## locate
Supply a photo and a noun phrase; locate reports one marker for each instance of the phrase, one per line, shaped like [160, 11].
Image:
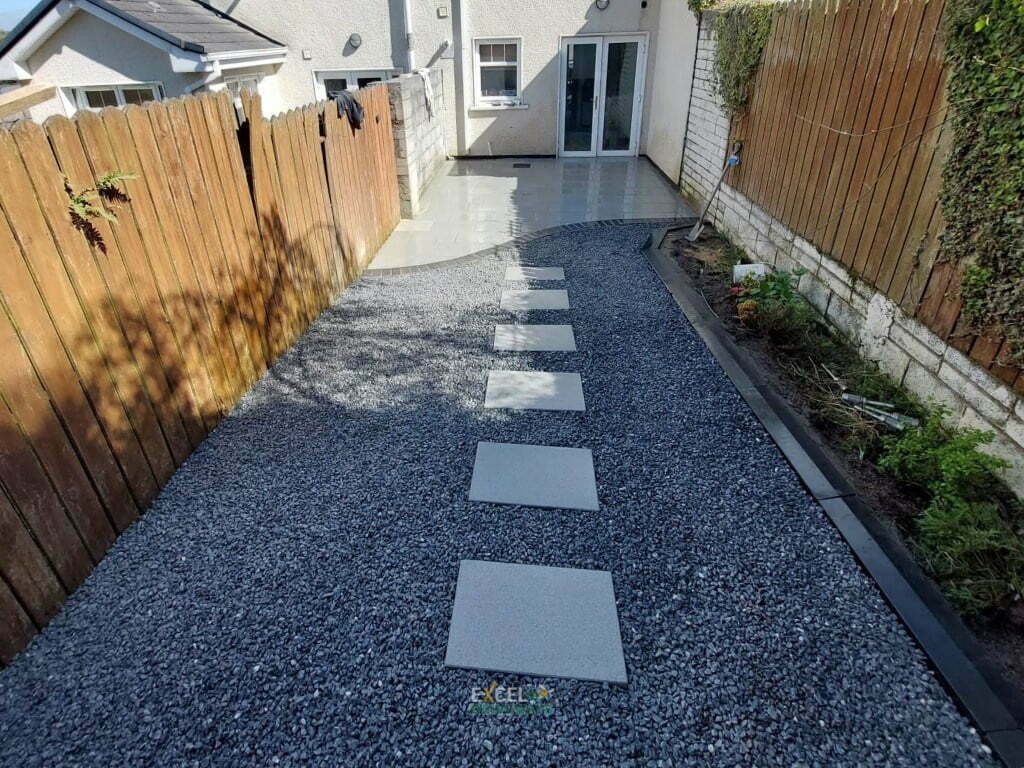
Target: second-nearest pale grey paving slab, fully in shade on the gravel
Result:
[534, 477]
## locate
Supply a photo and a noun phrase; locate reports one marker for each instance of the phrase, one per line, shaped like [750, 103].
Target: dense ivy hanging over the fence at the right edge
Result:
[984, 180]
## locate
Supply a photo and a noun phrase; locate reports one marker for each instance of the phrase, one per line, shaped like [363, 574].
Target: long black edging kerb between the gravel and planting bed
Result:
[941, 633]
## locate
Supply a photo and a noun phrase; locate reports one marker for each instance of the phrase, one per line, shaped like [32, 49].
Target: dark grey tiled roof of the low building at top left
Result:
[189, 25]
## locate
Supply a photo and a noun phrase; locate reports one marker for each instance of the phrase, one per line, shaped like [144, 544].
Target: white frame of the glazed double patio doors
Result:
[598, 139]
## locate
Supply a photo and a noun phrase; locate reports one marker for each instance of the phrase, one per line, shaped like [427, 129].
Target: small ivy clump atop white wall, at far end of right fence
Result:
[743, 33]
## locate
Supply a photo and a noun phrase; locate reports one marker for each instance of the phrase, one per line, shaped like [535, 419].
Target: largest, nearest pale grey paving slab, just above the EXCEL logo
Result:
[536, 620]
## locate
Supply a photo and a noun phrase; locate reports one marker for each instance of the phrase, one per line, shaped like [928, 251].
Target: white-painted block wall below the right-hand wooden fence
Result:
[904, 348]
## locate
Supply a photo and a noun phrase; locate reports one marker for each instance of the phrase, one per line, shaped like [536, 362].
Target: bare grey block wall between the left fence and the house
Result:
[419, 137]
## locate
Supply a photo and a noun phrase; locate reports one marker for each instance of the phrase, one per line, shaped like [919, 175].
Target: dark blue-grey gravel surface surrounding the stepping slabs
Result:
[287, 600]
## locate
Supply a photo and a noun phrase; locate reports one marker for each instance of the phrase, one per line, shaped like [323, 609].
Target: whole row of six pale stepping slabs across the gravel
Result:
[535, 620]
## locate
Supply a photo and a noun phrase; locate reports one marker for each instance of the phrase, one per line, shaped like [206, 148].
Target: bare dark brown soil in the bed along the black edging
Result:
[893, 504]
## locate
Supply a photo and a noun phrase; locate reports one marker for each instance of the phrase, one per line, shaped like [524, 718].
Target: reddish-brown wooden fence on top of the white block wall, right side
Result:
[845, 142]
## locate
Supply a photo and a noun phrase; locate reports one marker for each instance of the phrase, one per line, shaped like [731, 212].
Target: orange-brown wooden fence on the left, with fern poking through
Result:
[123, 344]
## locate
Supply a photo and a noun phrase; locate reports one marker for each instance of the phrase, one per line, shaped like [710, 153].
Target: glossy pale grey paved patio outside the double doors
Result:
[472, 205]
